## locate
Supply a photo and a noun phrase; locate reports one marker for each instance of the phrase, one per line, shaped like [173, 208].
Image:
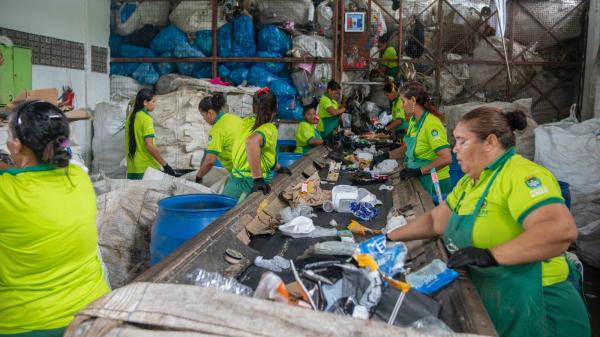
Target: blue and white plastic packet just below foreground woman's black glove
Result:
[432, 277]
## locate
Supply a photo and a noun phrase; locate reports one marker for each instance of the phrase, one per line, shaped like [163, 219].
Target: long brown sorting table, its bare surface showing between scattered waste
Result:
[461, 307]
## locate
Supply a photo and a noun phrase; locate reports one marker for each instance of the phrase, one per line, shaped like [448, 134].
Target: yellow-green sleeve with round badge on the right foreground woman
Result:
[531, 188]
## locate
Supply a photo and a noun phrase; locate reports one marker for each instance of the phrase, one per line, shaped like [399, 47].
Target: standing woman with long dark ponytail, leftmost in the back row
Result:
[140, 150]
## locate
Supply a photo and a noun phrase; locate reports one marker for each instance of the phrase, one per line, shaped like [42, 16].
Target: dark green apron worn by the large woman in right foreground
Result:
[512, 295]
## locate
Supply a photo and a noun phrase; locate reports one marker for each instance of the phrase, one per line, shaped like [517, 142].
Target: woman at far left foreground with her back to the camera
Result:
[50, 266]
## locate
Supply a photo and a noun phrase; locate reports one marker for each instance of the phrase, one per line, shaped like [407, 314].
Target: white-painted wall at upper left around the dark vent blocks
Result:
[85, 21]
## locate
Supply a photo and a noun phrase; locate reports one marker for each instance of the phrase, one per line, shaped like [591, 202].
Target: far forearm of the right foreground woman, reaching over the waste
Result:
[429, 225]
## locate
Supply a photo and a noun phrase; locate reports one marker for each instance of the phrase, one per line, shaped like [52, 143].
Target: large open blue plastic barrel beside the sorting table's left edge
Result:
[181, 217]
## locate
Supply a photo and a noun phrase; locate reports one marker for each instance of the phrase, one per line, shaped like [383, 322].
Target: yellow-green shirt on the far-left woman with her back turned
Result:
[49, 267]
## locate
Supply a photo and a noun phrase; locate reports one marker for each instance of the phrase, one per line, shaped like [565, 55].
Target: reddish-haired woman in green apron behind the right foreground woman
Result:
[426, 142]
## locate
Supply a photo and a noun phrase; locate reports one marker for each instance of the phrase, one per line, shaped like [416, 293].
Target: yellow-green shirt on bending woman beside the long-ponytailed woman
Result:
[226, 129]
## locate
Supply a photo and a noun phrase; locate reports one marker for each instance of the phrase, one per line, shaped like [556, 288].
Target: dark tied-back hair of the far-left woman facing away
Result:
[43, 129]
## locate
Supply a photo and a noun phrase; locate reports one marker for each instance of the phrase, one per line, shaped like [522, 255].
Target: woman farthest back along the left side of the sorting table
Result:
[330, 110]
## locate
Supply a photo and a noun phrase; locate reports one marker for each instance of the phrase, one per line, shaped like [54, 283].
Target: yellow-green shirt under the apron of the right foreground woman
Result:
[520, 188]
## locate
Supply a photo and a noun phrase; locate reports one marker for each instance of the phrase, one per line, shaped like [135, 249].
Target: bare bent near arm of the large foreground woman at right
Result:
[549, 230]
